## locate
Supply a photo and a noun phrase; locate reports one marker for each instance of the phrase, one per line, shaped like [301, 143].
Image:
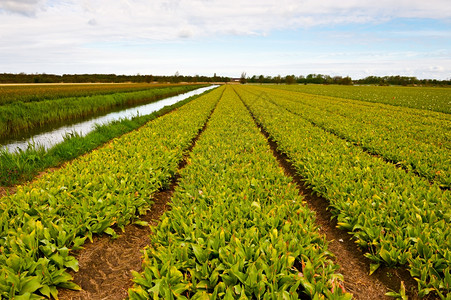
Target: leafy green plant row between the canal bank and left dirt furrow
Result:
[44, 222]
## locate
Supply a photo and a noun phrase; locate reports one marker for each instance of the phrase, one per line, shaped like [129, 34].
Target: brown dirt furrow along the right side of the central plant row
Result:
[353, 265]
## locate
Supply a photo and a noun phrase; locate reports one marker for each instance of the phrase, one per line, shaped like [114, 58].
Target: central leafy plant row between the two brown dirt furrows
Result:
[237, 227]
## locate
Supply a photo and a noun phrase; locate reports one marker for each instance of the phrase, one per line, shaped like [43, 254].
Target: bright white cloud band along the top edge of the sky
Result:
[167, 19]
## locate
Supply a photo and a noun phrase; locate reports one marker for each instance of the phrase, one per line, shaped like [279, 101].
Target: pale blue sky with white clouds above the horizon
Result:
[335, 37]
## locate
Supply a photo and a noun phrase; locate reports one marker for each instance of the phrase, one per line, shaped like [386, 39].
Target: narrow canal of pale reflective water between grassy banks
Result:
[56, 136]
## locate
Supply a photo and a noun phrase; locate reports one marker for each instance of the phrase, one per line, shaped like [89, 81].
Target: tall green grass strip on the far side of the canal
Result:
[18, 117]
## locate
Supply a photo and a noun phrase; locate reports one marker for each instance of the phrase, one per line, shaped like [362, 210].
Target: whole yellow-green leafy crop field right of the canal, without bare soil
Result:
[238, 226]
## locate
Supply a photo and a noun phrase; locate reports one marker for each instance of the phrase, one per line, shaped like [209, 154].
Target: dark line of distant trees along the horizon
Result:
[176, 78]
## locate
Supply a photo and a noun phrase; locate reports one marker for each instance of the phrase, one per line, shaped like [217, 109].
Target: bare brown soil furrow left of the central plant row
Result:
[106, 264]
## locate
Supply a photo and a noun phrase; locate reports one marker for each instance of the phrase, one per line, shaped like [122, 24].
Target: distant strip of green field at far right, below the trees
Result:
[426, 98]
